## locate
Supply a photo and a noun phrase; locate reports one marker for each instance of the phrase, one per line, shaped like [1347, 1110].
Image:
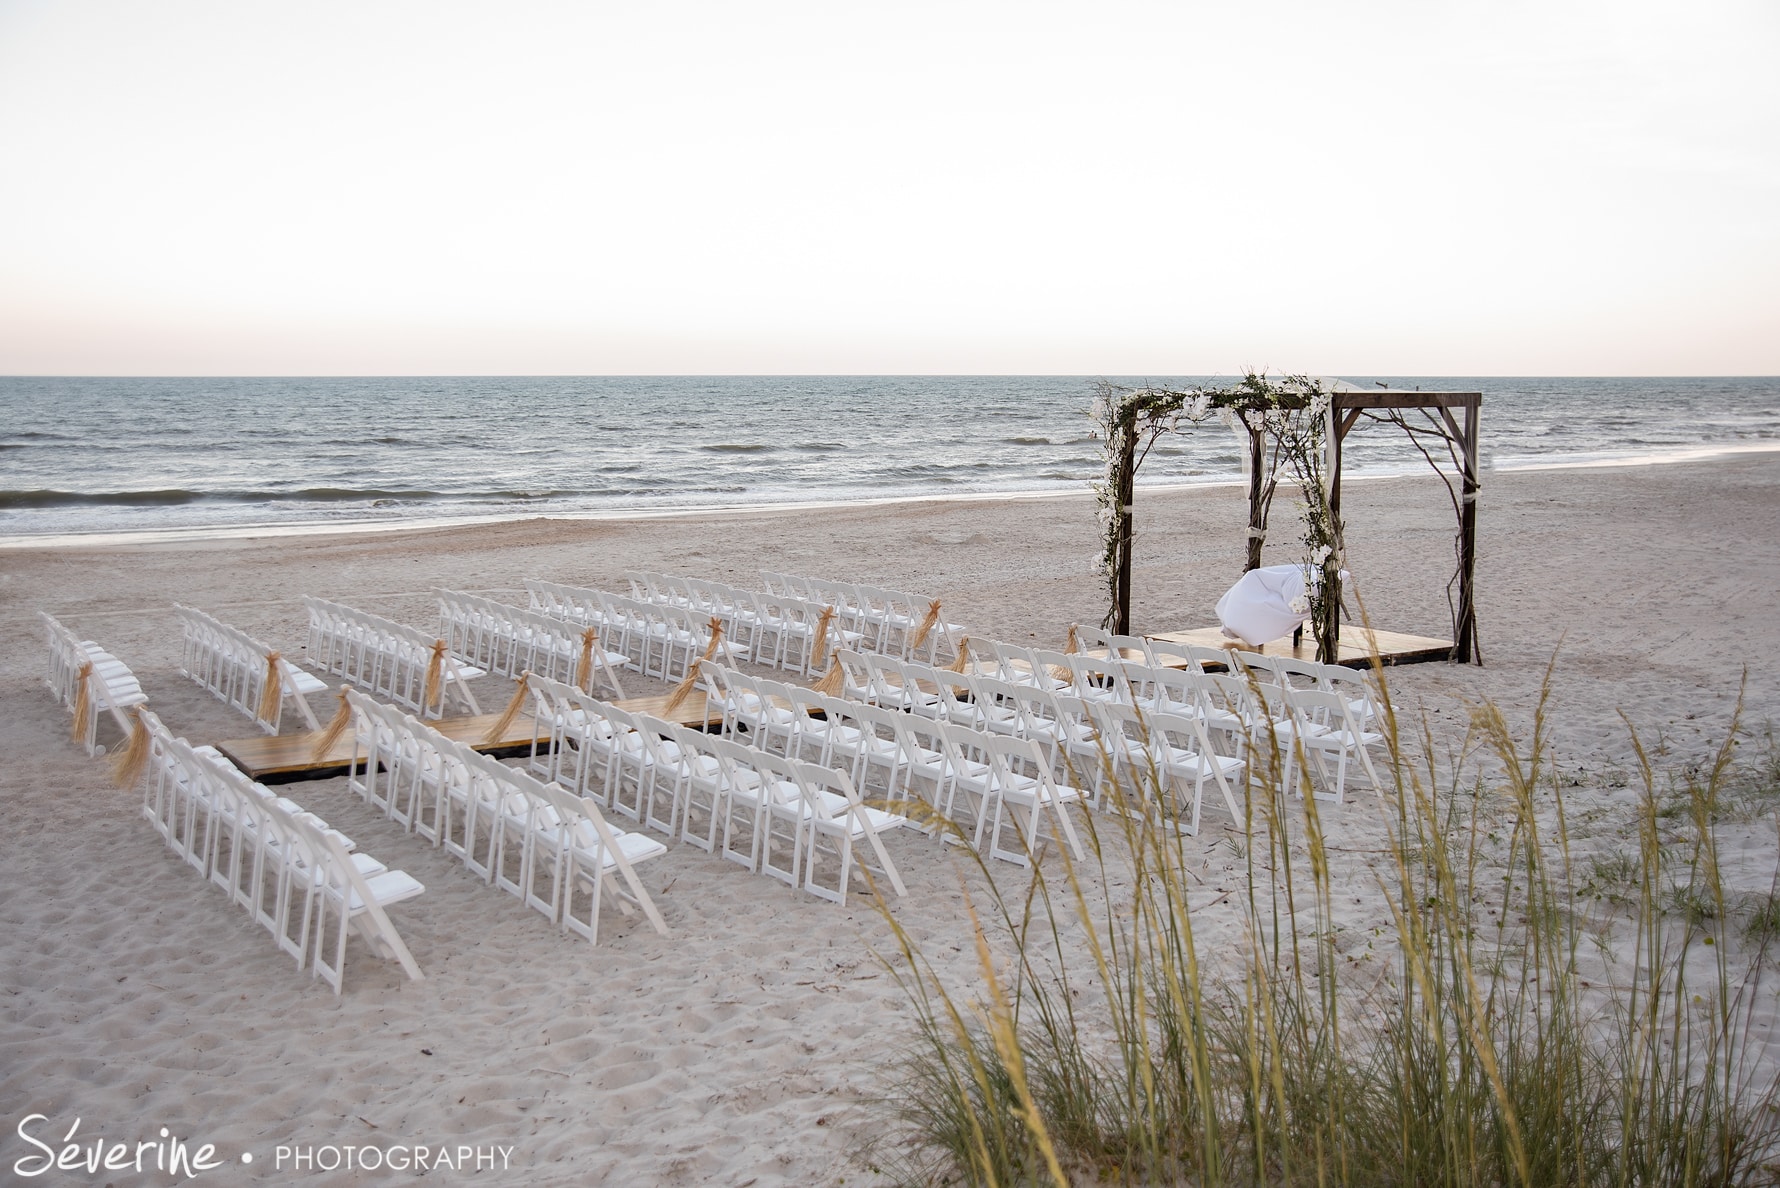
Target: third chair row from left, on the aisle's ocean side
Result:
[387, 658]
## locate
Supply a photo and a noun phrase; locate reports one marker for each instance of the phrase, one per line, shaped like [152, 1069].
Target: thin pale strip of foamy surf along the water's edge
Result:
[198, 535]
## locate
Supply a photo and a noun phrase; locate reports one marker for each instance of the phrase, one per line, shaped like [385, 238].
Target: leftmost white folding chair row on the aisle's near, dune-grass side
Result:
[295, 875]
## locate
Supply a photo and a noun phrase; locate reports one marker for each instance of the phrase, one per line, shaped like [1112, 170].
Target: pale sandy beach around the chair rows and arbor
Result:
[747, 1046]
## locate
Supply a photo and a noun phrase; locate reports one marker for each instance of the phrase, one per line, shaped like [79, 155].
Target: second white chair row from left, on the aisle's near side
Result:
[533, 840]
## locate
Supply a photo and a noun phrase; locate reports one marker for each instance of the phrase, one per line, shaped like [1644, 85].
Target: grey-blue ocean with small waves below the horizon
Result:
[106, 455]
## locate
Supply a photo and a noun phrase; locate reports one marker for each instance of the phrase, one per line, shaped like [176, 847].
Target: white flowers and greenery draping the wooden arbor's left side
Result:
[1286, 425]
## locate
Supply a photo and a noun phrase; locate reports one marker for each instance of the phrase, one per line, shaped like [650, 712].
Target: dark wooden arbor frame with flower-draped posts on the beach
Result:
[1437, 423]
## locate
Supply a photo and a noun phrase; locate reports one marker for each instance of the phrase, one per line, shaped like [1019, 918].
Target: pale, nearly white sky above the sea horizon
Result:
[587, 188]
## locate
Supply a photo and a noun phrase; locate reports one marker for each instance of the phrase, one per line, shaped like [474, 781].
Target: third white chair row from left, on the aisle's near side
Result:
[715, 793]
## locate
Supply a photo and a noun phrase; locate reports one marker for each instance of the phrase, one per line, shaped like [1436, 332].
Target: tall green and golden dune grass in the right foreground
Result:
[1505, 1045]
